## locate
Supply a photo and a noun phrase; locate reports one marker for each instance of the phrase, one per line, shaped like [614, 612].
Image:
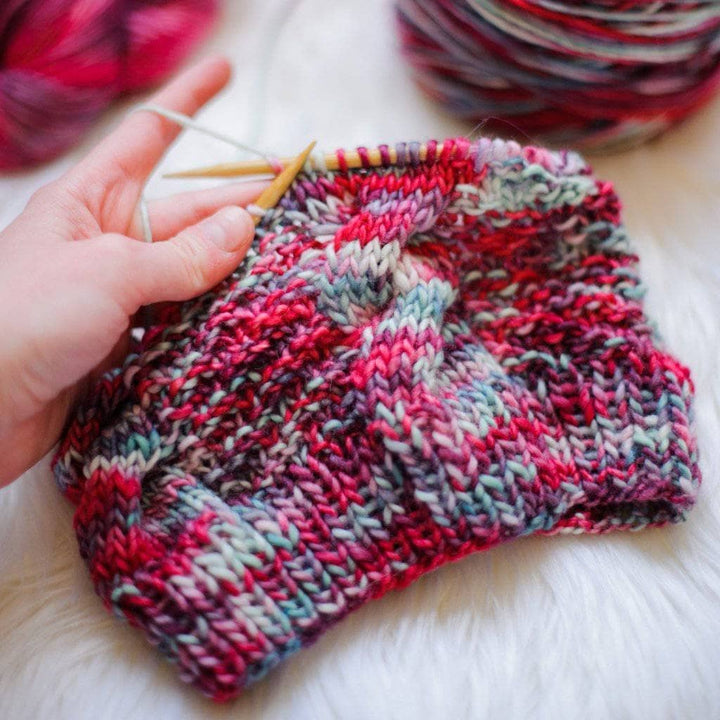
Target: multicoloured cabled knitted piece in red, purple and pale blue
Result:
[414, 362]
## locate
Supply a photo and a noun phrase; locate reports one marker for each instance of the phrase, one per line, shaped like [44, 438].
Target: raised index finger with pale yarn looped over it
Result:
[137, 145]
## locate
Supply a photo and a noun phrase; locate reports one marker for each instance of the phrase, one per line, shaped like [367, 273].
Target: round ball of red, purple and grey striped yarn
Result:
[601, 75]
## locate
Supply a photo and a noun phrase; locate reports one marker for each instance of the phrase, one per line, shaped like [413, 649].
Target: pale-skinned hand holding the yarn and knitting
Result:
[74, 271]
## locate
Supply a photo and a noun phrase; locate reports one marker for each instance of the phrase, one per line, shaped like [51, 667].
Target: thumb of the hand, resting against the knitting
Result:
[194, 260]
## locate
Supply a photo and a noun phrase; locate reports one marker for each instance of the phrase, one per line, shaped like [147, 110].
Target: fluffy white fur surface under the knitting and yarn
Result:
[621, 626]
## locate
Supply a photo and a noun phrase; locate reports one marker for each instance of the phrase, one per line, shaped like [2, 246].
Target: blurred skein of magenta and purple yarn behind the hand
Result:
[62, 62]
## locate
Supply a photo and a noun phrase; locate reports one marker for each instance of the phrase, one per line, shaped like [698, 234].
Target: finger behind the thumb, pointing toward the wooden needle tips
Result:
[171, 215]
